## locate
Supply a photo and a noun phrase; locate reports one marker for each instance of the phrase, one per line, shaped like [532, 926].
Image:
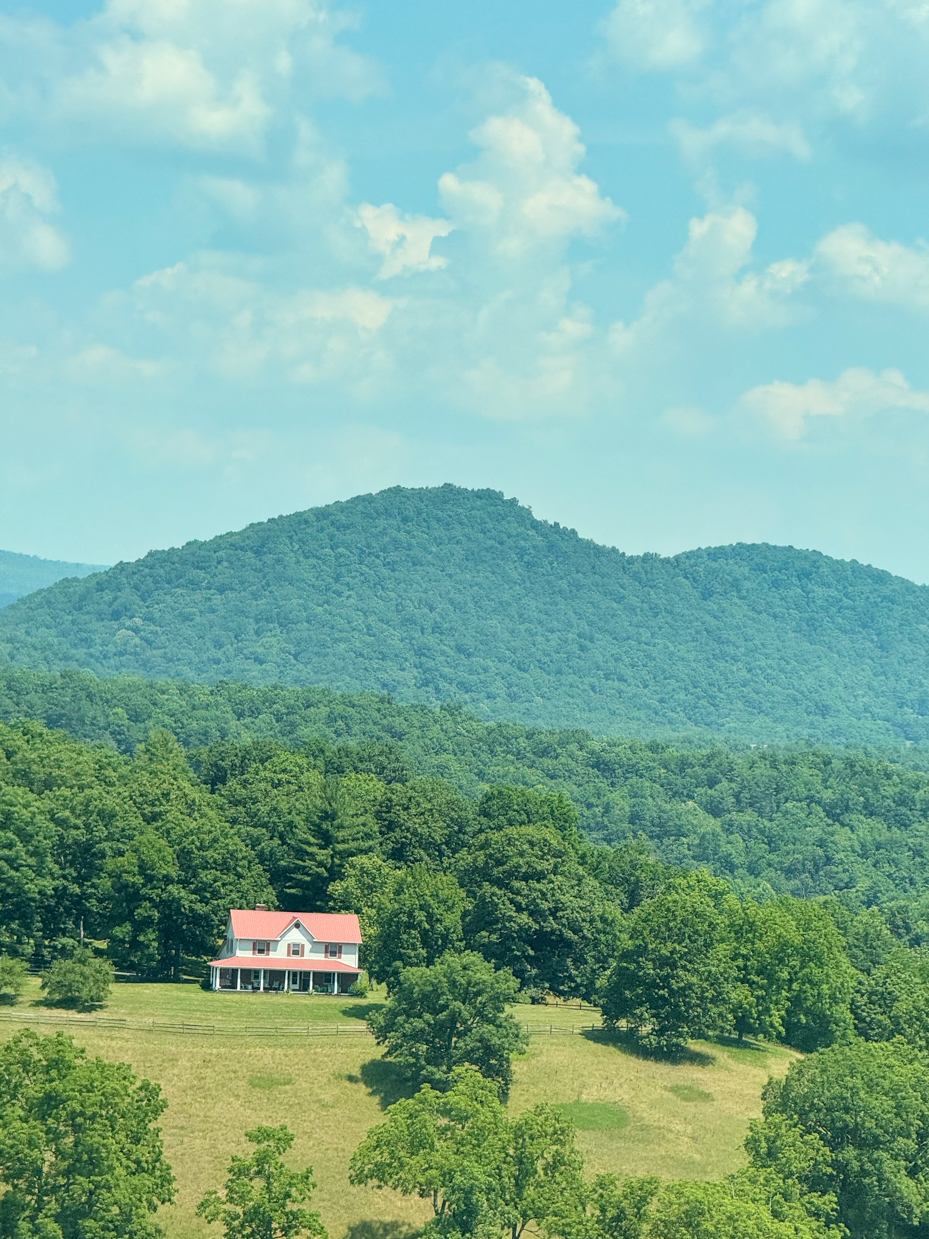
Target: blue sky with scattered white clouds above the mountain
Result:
[657, 268]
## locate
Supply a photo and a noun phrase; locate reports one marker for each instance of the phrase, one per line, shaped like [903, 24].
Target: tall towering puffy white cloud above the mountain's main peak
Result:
[525, 190]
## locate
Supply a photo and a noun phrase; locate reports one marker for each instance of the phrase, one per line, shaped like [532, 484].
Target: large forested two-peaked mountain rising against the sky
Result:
[435, 595]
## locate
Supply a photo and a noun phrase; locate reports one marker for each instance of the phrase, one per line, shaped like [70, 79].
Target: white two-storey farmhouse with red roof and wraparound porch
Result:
[297, 952]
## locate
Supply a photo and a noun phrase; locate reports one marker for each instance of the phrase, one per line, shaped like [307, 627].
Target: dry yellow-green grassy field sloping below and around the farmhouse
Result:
[635, 1116]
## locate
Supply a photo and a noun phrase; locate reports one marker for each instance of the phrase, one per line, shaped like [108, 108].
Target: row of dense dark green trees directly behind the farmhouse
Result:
[147, 856]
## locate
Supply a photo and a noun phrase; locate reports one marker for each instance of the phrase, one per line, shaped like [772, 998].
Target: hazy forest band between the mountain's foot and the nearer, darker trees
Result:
[806, 822]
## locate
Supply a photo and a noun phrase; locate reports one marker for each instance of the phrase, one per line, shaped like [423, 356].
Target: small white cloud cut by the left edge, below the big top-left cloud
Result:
[28, 198]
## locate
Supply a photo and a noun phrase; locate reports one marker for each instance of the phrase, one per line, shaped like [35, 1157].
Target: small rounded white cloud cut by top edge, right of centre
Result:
[657, 34]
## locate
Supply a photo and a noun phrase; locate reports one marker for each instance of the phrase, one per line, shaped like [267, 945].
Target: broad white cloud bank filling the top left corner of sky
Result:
[209, 75]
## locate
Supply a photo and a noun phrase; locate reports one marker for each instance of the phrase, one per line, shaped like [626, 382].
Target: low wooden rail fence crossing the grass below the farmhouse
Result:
[305, 1031]
